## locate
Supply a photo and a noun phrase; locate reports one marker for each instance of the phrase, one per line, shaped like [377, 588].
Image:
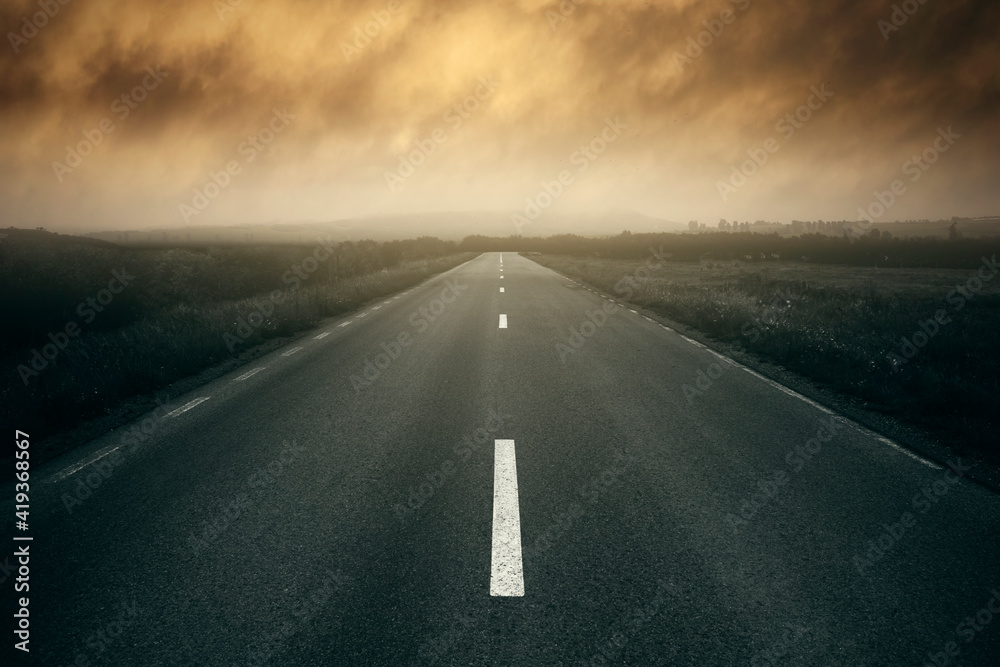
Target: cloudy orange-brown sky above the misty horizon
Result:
[137, 114]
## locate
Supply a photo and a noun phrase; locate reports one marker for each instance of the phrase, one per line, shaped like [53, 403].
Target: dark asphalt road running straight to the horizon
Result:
[659, 505]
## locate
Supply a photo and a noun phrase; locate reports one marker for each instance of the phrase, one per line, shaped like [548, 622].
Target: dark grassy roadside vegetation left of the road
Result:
[89, 324]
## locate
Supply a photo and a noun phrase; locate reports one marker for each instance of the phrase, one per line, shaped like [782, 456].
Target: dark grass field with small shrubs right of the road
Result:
[844, 327]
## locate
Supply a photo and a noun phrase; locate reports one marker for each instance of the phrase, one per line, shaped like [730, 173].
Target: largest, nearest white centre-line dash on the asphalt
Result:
[506, 573]
